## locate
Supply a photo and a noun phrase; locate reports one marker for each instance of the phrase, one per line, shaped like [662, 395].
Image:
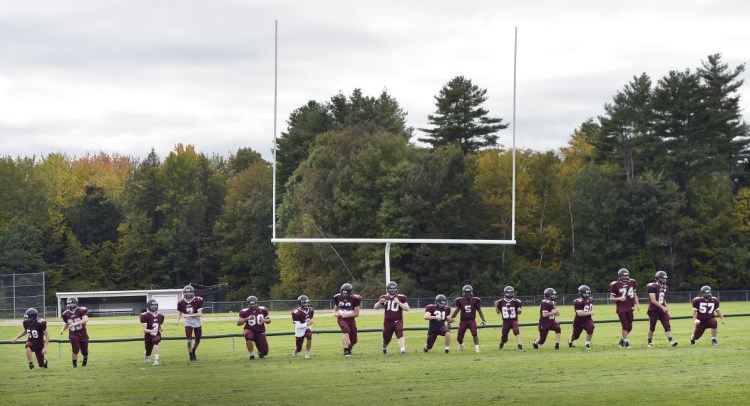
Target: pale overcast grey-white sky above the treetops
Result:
[124, 77]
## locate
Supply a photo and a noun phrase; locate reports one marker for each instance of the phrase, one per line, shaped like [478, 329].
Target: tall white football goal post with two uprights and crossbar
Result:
[389, 241]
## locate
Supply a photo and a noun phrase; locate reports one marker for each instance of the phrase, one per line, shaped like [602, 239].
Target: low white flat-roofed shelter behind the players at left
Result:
[121, 302]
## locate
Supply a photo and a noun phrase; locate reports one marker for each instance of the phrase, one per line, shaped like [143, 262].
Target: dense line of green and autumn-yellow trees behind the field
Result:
[659, 181]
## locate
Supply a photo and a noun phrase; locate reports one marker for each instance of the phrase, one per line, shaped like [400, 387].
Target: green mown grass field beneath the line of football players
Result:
[116, 373]
